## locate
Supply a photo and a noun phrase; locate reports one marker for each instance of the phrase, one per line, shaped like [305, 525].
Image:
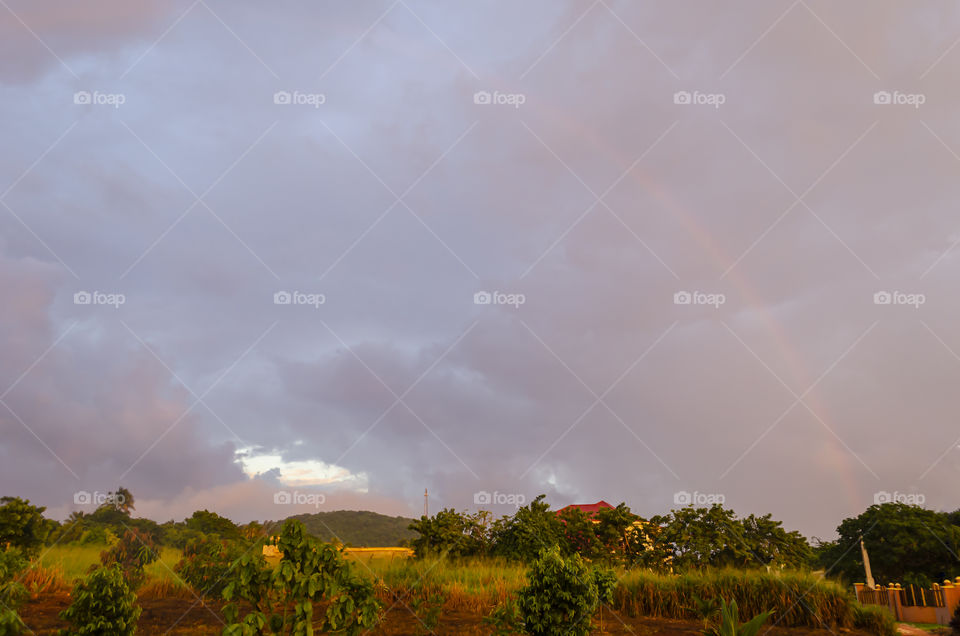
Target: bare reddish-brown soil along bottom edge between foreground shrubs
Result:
[181, 617]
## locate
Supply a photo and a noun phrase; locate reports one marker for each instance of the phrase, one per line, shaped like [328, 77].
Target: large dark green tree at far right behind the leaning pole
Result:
[903, 542]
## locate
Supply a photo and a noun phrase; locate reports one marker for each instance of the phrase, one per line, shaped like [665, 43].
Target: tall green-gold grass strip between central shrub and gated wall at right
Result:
[796, 598]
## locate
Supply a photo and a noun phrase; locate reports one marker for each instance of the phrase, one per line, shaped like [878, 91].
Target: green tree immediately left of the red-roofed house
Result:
[531, 530]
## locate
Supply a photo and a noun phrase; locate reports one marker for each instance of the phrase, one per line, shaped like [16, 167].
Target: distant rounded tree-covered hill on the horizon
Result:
[358, 527]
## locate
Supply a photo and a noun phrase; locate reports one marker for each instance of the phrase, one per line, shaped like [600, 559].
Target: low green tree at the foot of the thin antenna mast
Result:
[450, 533]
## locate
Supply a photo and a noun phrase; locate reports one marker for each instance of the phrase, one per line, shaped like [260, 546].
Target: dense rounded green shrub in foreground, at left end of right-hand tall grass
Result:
[561, 595]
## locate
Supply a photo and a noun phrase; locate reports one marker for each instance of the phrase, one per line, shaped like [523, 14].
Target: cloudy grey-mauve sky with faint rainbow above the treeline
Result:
[271, 258]
